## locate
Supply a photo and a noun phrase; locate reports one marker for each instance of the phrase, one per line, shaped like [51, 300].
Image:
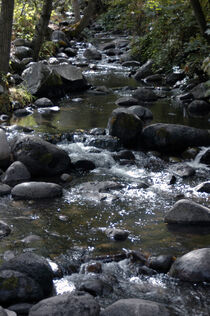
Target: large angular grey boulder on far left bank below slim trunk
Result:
[43, 80]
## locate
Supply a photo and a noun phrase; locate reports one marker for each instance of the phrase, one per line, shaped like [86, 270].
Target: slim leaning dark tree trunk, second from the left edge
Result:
[41, 28]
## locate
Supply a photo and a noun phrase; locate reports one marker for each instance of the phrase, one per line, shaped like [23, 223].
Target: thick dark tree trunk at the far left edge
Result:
[6, 19]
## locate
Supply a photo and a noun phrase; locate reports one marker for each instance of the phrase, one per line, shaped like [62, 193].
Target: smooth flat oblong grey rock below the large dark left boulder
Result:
[36, 190]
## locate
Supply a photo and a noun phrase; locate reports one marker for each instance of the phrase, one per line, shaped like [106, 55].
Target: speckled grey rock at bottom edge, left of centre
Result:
[77, 304]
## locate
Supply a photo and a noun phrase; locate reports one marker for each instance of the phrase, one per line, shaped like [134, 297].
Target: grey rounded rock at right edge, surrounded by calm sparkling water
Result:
[188, 212]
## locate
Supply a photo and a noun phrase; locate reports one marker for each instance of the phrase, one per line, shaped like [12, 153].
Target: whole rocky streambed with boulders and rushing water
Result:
[105, 192]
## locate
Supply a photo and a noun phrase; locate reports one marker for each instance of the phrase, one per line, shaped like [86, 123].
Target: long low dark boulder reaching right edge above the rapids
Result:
[173, 138]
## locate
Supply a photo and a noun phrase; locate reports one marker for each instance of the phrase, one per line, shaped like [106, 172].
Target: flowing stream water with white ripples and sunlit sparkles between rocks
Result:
[79, 218]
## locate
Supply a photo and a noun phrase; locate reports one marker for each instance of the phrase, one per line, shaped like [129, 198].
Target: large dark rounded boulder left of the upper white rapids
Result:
[40, 157]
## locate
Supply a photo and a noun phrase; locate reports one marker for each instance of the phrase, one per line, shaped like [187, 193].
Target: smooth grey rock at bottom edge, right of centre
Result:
[135, 307]
